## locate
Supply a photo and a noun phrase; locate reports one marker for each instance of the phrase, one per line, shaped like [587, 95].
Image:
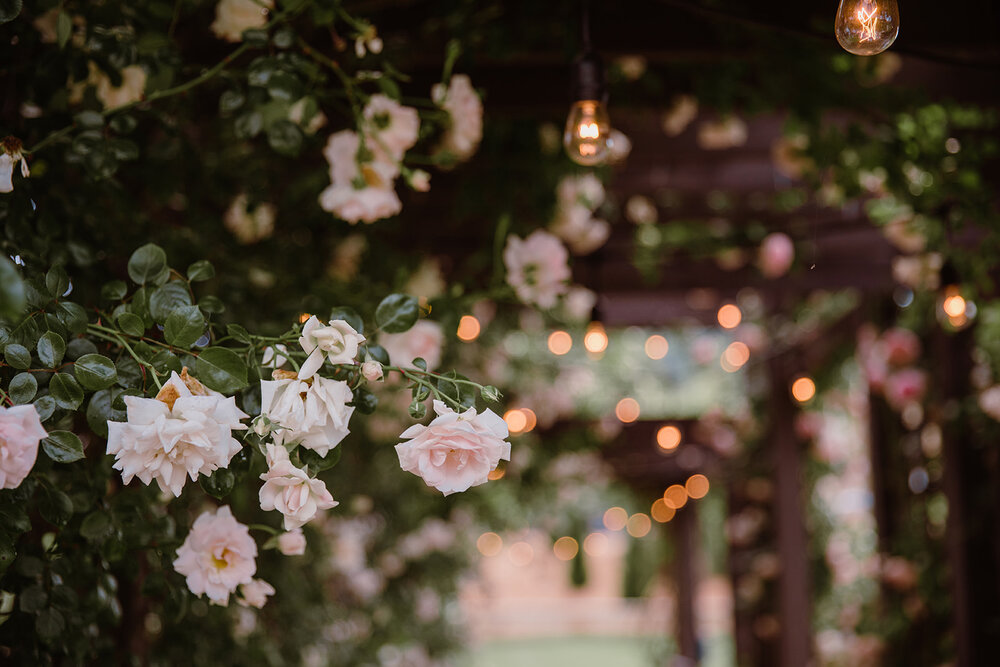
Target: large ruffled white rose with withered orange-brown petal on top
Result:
[184, 432]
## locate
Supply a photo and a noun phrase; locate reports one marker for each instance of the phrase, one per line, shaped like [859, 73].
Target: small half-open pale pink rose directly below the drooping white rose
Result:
[291, 491]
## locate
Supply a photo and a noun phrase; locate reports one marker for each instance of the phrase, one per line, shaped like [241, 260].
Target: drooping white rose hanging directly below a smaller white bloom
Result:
[313, 413]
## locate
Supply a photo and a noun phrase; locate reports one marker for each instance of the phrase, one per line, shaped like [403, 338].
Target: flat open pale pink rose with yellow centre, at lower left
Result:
[218, 556]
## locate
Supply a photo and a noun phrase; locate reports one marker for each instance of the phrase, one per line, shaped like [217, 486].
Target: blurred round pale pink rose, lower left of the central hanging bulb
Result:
[537, 268]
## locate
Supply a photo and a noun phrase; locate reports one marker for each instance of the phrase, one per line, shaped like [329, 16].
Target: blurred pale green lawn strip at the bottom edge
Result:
[576, 651]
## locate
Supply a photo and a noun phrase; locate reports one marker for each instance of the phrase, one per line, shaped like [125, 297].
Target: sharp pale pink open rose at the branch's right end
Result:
[456, 451]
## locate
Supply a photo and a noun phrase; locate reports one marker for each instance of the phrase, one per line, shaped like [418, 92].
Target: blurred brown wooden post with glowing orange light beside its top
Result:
[793, 583]
